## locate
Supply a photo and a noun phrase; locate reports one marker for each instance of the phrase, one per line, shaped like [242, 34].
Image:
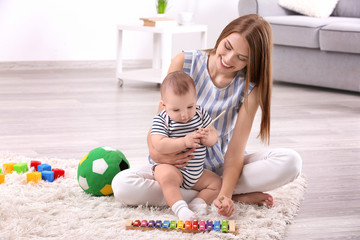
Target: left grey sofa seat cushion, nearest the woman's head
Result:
[298, 30]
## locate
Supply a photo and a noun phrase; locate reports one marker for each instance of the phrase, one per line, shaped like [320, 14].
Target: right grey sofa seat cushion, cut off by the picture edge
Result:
[341, 37]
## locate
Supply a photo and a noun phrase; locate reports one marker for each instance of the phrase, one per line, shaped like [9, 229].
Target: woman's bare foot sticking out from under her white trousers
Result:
[259, 198]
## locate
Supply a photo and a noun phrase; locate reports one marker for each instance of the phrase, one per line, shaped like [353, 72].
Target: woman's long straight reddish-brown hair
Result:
[258, 35]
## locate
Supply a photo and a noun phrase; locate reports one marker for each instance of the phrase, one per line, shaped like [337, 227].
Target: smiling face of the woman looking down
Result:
[232, 53]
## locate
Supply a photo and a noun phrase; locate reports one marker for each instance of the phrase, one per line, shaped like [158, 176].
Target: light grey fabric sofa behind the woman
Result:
[314, 51]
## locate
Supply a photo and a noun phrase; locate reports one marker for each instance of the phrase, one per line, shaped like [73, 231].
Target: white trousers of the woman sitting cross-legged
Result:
[263, 171]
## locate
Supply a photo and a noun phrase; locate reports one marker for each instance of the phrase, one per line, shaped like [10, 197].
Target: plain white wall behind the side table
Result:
[72, 30]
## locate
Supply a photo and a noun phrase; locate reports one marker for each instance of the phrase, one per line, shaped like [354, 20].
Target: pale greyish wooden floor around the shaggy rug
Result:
[66, 113]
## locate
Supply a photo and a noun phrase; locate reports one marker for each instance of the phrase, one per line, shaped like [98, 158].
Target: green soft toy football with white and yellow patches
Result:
[98, 168]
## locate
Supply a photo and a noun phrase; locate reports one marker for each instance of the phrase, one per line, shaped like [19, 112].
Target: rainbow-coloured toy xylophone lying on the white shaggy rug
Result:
[194, 226]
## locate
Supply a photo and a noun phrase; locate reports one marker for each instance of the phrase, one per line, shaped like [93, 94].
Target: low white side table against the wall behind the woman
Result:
[162, 45]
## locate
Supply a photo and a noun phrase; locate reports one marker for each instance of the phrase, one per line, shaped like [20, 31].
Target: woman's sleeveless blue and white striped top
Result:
[215, 100]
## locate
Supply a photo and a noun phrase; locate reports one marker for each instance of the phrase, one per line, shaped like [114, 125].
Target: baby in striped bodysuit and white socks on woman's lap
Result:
[183, 125]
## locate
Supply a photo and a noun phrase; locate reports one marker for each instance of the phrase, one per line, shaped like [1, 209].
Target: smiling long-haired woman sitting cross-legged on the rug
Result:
[234, 76]
